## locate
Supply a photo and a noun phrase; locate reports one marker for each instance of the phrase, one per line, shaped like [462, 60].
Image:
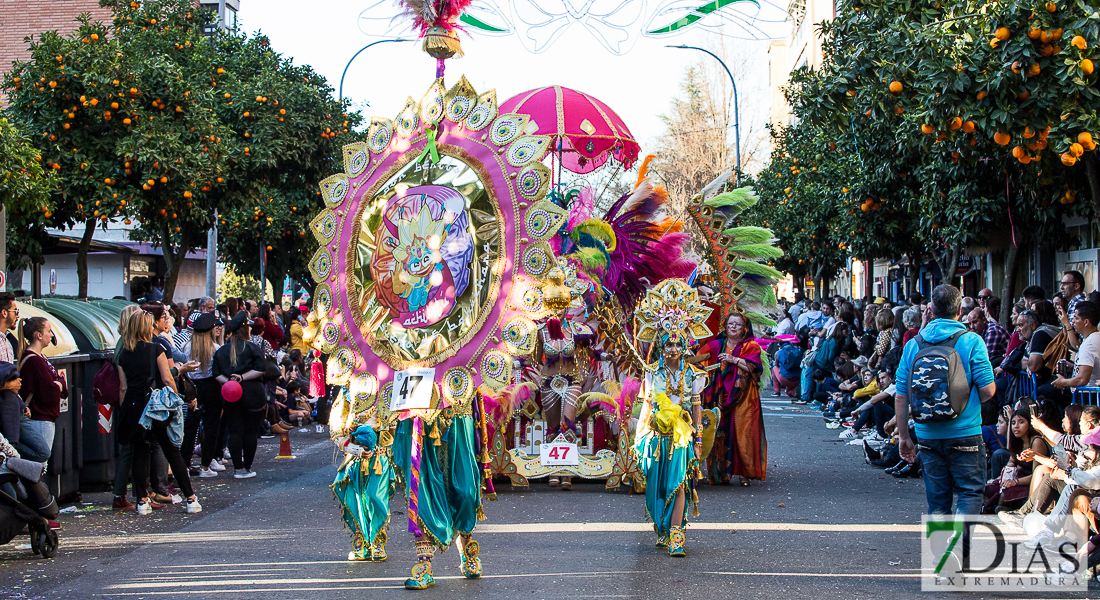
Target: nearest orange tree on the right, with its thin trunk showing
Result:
[971, 108]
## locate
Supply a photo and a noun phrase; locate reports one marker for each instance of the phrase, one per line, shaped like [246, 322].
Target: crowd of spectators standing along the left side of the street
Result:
[164, 441]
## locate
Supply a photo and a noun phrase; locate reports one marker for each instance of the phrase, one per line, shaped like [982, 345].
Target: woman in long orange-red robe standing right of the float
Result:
[741, 445]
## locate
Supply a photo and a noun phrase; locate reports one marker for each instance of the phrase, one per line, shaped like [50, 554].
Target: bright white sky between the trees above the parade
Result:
[640, 86]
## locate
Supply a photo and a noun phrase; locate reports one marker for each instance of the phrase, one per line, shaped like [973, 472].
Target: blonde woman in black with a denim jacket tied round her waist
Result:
[144, 368]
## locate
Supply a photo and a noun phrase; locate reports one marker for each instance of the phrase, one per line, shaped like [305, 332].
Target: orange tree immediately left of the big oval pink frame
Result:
[292, 130]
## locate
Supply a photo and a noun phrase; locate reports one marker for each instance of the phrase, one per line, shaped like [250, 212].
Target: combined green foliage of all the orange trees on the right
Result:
[972, 132]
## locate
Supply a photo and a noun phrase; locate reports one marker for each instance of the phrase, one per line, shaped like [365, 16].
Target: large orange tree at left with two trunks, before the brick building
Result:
[123, 115]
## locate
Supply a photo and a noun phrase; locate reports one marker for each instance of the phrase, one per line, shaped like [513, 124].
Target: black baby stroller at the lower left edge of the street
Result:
[35, 511]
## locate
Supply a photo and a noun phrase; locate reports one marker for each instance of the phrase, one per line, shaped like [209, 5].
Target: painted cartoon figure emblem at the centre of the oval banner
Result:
[427, 247]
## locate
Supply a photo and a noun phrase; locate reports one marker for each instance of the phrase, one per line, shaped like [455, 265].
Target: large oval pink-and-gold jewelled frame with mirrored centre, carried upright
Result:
[428, 257]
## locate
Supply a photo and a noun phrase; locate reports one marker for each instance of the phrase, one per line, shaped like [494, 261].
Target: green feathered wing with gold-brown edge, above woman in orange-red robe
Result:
[739, 254]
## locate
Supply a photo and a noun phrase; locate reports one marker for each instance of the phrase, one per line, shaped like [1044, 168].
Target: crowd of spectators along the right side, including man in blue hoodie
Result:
[1033, 411]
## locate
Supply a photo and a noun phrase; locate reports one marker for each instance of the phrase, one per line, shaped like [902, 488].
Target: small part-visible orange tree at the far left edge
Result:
[25, 192]
